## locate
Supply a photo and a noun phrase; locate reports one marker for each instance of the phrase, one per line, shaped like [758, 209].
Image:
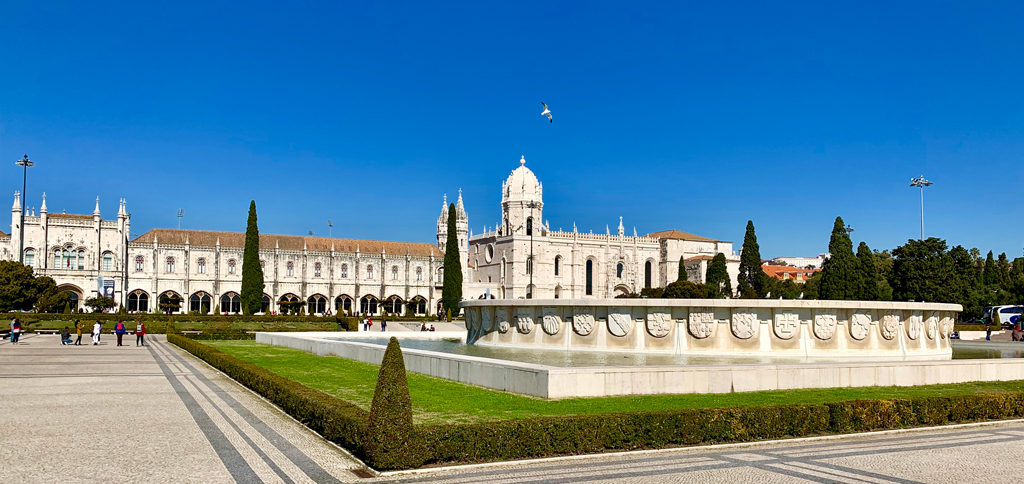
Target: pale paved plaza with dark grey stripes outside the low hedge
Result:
[96, 414]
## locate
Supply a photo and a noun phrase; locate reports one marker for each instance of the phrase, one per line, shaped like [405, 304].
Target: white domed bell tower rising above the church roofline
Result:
[523, 202]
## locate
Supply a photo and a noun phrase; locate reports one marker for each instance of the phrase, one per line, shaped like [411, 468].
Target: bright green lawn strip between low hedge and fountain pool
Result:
[439, 402]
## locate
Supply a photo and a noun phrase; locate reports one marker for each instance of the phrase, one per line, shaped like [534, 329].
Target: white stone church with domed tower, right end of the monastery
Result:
[577, 265]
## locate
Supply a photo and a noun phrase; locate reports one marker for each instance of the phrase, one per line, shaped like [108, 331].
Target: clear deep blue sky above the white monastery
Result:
[668, 114]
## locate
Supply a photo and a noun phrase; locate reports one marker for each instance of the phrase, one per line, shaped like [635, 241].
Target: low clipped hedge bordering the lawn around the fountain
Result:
[546, 436]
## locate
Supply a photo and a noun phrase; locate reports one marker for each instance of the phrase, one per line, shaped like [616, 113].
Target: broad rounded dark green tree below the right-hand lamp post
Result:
[924, 272]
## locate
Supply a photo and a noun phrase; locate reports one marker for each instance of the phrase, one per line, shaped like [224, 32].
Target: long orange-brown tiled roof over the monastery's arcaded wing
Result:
[290, 243]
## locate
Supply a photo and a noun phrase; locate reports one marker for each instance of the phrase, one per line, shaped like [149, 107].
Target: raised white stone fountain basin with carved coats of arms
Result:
[798, 329]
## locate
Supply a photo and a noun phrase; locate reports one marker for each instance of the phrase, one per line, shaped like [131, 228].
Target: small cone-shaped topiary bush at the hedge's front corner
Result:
[390, 441]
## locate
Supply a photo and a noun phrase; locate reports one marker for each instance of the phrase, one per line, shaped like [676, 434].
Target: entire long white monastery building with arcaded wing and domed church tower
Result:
[522, 258]
